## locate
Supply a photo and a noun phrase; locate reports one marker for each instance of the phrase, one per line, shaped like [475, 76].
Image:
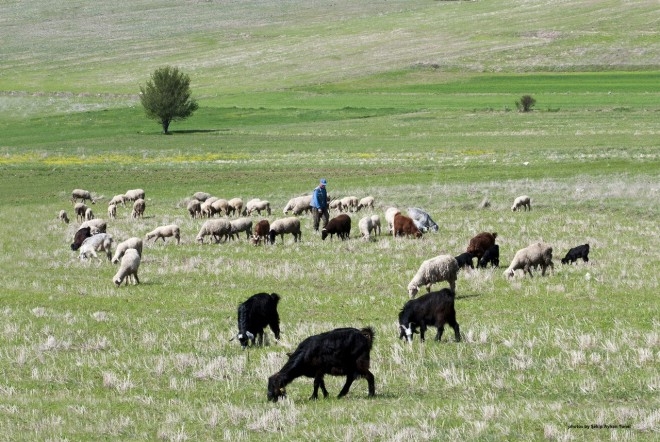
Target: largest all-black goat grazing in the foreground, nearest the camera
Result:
[339, 352]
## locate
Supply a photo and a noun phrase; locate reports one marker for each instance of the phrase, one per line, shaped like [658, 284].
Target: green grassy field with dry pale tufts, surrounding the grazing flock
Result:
[411, 102]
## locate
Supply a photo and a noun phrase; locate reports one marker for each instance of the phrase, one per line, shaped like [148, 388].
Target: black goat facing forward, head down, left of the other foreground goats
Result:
[257, 312]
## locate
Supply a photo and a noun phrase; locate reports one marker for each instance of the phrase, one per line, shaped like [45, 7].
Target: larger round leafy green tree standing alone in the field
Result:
[166, 96]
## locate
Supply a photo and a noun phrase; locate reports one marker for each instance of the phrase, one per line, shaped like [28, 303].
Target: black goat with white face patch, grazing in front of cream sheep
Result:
[435, 309]
